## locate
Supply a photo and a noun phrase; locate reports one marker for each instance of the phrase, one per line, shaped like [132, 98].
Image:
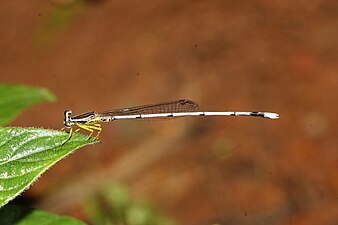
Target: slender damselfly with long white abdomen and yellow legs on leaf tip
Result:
[90, 121]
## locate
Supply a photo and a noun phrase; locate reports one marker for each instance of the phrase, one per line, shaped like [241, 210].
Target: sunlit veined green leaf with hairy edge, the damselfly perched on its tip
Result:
[25, 153]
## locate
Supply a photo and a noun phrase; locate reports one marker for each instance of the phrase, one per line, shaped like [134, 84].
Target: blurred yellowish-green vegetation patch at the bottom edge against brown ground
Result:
[113, 205]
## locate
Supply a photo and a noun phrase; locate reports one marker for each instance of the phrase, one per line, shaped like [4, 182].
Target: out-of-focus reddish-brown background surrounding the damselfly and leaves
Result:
[259, 55]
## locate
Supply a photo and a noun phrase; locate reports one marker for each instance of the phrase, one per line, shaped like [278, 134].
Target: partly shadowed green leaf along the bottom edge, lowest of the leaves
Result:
[18, 215]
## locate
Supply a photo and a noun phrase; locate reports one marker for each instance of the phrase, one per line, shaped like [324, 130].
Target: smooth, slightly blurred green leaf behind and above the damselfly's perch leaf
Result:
[15, 98]
